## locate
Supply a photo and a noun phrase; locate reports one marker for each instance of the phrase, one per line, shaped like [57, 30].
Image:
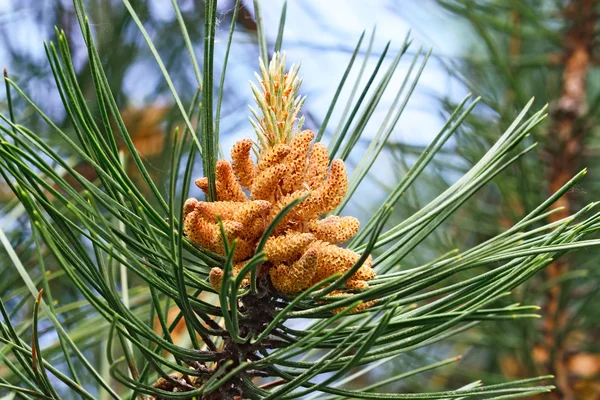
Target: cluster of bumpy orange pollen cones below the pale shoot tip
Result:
[303, 249]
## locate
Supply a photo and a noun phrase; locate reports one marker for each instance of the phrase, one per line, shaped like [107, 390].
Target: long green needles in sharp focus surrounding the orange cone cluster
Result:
[246, 341]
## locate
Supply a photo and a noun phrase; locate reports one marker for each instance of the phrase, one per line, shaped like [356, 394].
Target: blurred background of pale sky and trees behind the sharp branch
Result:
[504, 51]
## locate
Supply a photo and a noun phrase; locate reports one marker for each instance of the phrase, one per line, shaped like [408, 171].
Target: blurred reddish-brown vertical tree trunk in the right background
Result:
[566, 143]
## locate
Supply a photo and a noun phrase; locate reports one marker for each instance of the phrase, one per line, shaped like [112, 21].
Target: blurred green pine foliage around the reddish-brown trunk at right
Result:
[520, 49]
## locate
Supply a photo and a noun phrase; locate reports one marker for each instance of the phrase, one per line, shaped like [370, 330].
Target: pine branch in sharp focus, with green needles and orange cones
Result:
[266, 249]
